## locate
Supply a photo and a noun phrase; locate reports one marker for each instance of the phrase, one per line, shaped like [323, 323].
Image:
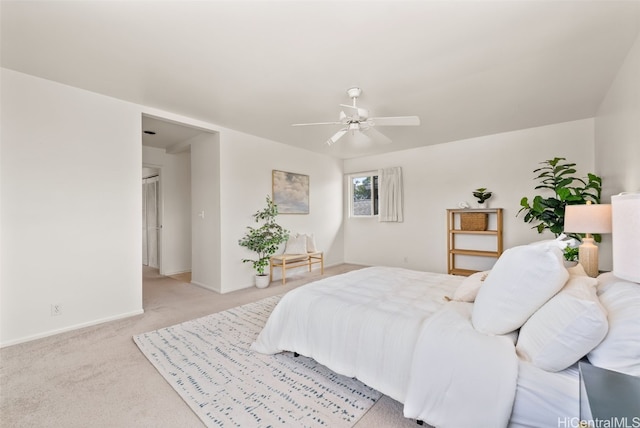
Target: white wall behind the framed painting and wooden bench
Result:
[246, 181]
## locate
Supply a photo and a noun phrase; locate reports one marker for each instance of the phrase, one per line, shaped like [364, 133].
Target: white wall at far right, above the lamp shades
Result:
[618, 129]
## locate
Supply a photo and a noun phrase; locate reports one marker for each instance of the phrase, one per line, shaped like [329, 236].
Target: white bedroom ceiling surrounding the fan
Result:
[466, 68]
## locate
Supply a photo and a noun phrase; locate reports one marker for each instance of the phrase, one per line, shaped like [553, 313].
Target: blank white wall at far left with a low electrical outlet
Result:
[71, 204]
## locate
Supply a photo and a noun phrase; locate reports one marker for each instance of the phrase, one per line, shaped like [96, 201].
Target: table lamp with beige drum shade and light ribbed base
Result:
[588, 218]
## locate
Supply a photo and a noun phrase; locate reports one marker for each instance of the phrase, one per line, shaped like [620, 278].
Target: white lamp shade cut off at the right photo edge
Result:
[626, 236]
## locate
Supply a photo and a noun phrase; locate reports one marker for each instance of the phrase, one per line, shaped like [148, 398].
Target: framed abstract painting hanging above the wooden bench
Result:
[290, 192]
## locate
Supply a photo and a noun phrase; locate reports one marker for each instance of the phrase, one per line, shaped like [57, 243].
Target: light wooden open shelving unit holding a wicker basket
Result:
[491, 238]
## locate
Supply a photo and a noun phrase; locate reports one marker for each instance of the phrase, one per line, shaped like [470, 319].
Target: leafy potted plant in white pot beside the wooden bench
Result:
[264, 241]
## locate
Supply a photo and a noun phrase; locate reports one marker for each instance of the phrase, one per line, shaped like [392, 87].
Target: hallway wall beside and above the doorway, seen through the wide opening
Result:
[175, 189]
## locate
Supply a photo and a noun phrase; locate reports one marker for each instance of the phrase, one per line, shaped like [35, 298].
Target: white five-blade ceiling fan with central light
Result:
[359, 120]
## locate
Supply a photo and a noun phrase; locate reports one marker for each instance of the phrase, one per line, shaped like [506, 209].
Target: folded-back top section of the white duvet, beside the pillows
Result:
[461, 377]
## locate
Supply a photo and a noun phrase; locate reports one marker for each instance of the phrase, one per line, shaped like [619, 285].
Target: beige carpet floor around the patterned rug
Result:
[97, 376]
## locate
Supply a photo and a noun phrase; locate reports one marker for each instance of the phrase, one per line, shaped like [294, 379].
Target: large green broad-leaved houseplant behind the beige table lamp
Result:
[562, 188]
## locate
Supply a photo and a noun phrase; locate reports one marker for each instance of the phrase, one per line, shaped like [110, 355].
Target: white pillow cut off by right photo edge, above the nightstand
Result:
[620, 349]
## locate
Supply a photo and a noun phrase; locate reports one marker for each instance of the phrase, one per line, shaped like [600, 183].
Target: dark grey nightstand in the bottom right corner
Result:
[607, 395]
